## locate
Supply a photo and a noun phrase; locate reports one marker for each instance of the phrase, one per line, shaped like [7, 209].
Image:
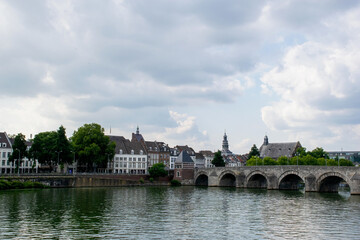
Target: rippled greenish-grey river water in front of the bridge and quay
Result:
[177, 213]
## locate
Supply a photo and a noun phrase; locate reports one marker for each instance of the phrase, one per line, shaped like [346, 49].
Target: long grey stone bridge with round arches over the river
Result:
[315, 178]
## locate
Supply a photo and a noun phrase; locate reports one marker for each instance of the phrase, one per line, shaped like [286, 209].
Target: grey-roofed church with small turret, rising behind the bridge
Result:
[276, 150]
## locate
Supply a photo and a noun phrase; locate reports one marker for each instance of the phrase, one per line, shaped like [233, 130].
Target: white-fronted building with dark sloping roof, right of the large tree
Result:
[130, 157]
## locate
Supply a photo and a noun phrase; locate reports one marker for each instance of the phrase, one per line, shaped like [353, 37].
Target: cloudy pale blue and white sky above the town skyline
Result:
[184, 71]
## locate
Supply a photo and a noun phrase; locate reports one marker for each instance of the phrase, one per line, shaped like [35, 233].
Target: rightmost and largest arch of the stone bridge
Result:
[329, 182]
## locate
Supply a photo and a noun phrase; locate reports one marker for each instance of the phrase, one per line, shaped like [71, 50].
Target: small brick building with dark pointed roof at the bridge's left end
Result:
[184, 167]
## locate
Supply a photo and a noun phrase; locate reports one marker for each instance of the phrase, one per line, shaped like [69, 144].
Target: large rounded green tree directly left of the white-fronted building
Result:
[92, 147]
